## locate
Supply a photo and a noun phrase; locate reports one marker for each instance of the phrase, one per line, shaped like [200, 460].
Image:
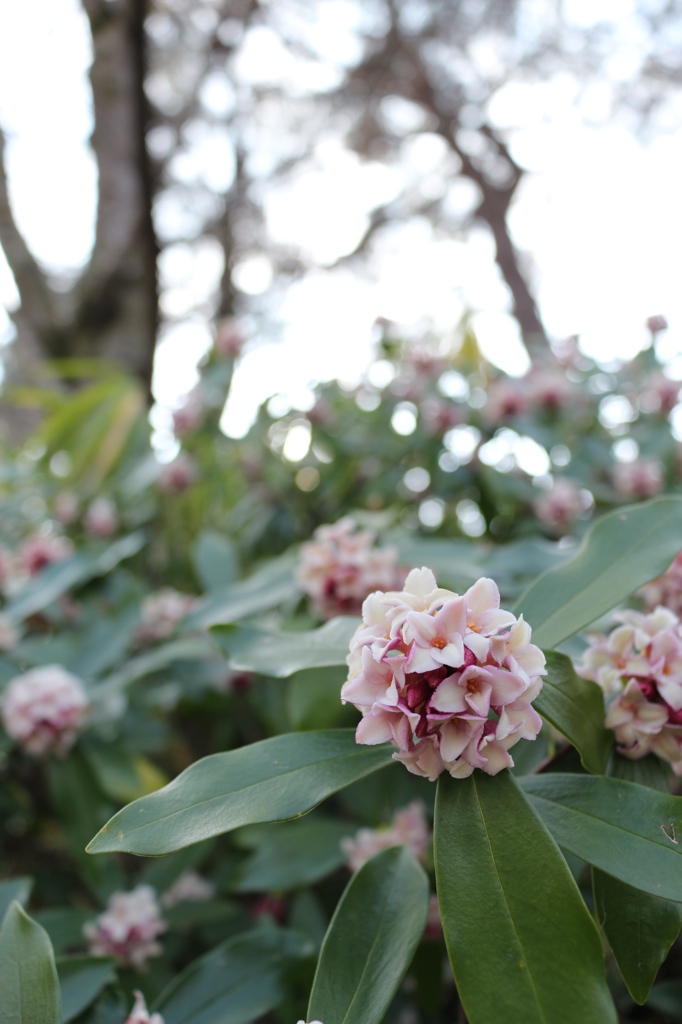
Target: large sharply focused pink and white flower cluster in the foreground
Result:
[449, 679]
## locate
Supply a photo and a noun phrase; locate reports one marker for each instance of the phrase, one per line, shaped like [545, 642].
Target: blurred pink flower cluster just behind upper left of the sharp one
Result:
[342, 566]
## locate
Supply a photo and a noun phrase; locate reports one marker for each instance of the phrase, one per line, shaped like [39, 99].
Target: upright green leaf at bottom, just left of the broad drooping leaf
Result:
[371, 941]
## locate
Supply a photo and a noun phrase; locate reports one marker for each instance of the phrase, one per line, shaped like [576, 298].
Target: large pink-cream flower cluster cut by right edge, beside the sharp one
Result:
[640, 668]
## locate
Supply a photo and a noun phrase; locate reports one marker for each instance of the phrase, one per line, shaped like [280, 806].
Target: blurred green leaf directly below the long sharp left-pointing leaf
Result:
[293, 855]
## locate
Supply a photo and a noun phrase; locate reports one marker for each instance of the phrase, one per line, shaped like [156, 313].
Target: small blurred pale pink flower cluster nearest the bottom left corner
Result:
[129, 928]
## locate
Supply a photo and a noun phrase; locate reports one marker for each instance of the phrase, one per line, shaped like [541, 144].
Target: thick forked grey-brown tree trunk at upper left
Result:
[112, 311]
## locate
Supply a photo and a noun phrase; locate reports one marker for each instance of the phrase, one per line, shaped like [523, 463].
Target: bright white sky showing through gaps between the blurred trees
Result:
[600, 216]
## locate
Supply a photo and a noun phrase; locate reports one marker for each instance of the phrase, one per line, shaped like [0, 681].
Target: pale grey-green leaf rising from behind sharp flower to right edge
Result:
[620, 553]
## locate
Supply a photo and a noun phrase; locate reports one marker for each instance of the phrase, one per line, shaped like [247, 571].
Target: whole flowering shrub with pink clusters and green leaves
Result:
[202, 727]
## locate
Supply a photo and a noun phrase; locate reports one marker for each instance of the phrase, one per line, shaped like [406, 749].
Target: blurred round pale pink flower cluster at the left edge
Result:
[45, 710]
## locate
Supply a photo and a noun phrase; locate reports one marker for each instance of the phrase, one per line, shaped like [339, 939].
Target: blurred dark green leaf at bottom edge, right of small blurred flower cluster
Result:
[238, 983]
